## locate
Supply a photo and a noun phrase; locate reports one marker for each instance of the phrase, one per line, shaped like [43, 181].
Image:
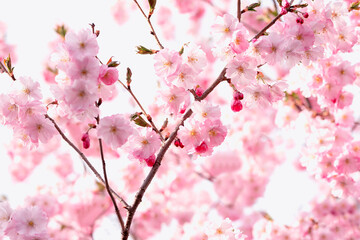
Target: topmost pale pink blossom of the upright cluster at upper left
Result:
[82, 44]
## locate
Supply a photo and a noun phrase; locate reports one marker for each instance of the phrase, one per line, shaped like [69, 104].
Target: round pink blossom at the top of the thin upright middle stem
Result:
[114, 130]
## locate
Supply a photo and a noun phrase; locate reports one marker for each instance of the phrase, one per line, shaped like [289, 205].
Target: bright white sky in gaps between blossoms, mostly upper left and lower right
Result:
[30, 26]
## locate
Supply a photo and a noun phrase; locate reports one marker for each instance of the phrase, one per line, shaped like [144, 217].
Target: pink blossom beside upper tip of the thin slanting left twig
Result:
[39, 128]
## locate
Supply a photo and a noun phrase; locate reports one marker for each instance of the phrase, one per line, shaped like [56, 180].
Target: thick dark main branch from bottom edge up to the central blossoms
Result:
[151, 174]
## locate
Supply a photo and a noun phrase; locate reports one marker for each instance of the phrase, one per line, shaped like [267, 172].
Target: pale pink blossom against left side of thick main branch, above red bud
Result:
[144, 145]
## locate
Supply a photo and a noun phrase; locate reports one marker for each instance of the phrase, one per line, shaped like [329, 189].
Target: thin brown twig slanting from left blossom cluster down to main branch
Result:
[81, 154]
